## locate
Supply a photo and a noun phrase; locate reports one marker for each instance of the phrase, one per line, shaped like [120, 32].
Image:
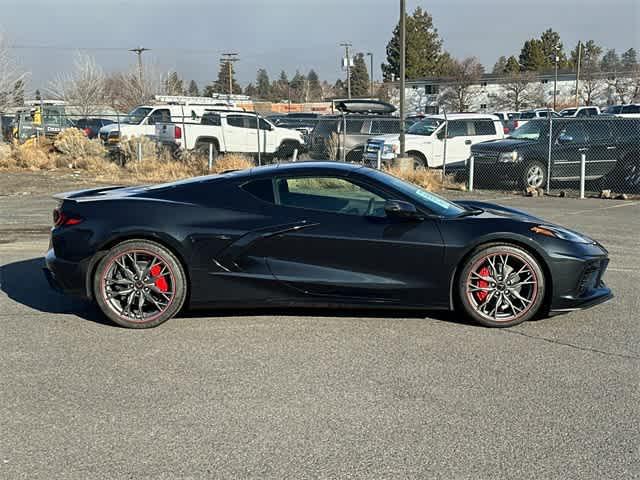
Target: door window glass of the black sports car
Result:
[329, 194]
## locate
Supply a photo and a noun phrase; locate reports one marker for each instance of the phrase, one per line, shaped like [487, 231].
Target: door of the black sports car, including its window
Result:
[345, 248]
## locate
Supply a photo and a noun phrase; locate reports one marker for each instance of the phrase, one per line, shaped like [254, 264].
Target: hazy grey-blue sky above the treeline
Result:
[189, 35]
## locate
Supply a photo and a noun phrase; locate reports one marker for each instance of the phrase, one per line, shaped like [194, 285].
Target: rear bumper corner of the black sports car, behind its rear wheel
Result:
[65, 276]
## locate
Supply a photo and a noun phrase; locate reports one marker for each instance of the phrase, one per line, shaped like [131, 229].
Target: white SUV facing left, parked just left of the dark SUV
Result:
[425, 140]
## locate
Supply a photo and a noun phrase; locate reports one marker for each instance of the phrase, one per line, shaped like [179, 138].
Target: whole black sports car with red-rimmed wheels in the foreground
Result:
[314, 234]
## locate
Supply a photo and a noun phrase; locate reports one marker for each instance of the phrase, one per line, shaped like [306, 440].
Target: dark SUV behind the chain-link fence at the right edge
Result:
[611, 147]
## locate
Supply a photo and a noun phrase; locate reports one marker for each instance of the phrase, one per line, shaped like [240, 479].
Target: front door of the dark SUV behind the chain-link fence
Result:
[571, 142]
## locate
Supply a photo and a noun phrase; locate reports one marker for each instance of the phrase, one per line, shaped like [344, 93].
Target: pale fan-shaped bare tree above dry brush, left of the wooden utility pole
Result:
[84, 88]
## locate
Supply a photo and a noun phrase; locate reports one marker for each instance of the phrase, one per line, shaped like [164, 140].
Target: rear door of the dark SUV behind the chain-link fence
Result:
[603, 149]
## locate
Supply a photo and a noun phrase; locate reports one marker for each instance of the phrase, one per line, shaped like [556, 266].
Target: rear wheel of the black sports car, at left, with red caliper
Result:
[119, 284]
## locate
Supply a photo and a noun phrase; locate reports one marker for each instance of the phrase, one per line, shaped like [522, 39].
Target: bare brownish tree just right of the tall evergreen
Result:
[463, 86]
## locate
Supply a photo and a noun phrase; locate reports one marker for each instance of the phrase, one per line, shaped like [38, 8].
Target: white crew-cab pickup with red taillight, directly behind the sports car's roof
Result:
[222, 131]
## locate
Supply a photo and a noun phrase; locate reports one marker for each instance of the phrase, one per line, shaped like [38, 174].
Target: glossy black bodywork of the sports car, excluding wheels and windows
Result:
[238, 250]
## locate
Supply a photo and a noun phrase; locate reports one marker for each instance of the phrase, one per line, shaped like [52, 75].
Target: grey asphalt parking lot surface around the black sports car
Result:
[291, 394]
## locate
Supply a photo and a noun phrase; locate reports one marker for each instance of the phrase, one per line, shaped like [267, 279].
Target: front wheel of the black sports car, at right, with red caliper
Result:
[496, 298]
